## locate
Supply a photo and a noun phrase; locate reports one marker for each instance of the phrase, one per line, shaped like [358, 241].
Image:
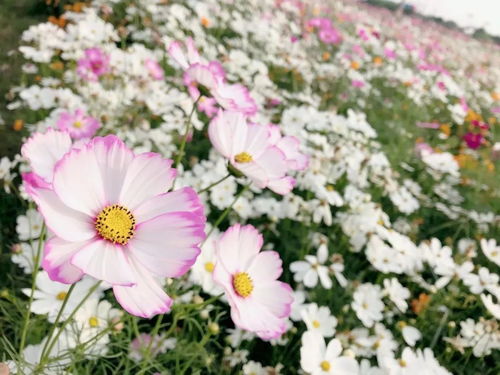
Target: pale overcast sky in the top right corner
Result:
[475, 13]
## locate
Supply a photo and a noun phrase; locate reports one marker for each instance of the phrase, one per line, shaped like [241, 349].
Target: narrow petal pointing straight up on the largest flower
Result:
[113, 158]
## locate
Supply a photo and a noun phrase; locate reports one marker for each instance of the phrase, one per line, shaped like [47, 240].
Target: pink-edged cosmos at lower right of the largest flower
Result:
[259, 302]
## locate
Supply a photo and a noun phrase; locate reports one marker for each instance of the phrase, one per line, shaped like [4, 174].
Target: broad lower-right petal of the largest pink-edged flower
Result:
[168, 244]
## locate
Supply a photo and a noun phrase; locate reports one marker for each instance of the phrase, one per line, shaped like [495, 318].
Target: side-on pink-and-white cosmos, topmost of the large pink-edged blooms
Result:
[212, 76]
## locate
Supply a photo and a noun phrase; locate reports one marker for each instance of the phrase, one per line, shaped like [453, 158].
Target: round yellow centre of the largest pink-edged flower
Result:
[116, 224]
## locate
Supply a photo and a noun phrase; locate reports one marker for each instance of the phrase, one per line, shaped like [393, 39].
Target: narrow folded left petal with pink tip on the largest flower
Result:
[63, 221]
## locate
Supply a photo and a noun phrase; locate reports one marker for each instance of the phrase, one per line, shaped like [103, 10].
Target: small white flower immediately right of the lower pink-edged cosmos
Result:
[312, 269]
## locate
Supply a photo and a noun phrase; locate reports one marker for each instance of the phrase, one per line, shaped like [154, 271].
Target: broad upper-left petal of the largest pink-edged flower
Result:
[78, 181]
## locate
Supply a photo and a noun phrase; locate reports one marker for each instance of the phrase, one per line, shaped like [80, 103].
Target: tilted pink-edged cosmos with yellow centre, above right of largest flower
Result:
[250, 149]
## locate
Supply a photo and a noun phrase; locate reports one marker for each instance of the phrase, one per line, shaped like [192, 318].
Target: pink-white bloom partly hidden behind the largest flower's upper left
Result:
[43, 151]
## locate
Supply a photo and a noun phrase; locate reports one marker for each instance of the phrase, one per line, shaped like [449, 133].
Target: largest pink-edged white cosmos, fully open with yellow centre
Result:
[114, 220]
